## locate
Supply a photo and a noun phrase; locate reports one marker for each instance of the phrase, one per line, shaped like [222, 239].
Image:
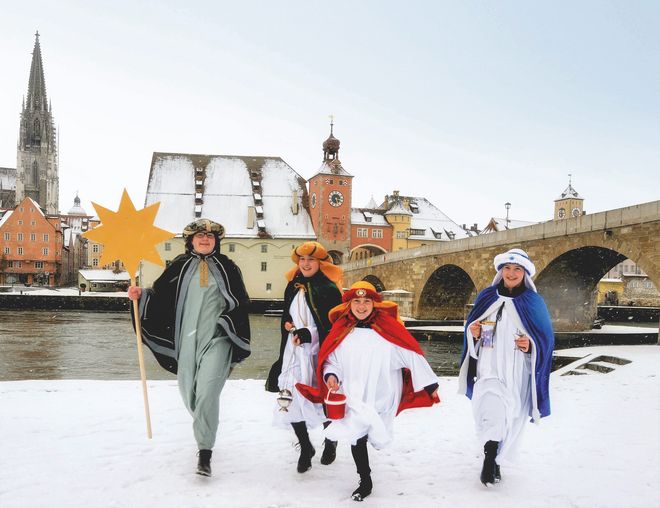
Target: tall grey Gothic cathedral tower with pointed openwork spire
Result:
[36, 164]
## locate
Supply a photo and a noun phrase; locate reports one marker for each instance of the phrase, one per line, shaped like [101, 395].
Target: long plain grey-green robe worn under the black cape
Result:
[204, 358]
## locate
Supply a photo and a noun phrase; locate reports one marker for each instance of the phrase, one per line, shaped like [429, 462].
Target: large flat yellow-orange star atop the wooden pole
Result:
[128, 234]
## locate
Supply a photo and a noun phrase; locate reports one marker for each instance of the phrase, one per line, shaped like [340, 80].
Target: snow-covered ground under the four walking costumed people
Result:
[82, 444]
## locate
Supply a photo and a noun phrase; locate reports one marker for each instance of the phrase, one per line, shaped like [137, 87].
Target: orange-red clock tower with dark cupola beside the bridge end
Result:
[330, 201]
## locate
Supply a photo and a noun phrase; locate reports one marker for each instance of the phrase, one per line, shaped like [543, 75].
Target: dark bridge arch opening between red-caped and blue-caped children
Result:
[446, 292]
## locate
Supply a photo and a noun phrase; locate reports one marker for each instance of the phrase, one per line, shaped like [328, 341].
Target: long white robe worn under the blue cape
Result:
[502, 398]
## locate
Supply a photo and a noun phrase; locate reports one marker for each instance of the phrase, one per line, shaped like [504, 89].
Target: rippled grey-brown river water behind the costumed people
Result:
[102, 345]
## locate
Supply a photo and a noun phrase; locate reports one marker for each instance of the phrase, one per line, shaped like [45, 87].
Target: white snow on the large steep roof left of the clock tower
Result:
[229, 193]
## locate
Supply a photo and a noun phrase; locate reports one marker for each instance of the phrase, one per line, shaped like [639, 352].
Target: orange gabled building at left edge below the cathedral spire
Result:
[30, 245]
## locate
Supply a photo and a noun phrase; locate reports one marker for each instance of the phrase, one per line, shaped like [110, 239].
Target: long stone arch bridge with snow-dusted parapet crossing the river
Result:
[570, 255]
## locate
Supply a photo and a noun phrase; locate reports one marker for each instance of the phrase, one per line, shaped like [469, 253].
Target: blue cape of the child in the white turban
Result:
[535, 318]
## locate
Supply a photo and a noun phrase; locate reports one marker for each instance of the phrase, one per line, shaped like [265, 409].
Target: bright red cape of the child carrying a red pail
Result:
[384, 322]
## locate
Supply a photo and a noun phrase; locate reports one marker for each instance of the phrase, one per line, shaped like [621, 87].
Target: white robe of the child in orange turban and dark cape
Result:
[299, 366]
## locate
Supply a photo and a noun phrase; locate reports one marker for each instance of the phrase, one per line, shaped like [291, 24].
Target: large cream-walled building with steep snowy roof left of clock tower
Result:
[260, 201]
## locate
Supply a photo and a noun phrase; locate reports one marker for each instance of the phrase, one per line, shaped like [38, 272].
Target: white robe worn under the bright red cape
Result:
[369, 370]
